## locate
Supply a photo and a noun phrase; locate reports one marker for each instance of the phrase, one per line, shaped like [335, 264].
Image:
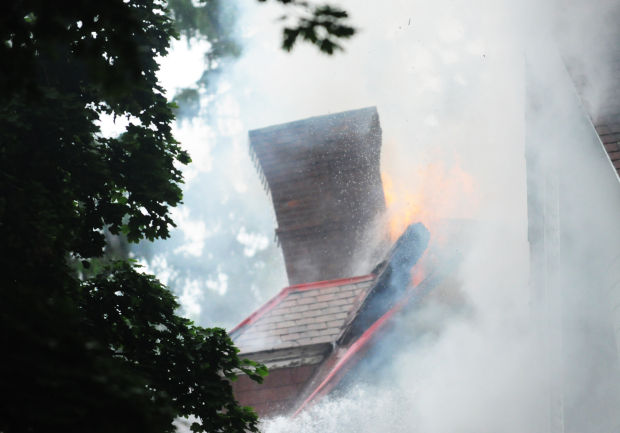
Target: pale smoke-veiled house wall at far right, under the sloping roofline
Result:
[574, 234]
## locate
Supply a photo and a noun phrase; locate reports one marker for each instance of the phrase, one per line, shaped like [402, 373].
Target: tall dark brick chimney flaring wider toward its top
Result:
[324, 179]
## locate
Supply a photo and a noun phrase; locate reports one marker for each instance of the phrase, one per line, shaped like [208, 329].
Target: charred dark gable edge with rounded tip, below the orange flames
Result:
[392, 282]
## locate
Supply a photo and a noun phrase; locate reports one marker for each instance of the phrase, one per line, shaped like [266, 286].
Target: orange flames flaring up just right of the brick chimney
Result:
[431, 193]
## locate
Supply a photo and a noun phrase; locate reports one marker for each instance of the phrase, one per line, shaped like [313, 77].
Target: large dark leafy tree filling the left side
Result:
[95, 351]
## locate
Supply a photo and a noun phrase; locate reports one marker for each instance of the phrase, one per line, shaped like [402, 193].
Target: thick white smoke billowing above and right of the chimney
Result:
[474, 85]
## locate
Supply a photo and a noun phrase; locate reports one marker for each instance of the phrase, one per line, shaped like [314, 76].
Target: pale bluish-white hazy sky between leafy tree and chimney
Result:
[221, 260]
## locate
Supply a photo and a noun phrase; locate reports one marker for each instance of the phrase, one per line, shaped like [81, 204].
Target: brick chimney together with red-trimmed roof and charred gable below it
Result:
[346, 281]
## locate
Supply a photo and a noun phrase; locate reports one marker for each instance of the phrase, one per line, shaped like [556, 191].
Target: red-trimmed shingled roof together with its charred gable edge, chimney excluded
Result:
[326, 325]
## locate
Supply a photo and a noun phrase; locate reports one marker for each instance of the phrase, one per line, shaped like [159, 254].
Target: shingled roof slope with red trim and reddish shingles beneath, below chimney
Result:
[293, 334]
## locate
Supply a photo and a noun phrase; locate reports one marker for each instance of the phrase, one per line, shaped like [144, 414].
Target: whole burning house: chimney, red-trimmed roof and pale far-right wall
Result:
[349, 281]
